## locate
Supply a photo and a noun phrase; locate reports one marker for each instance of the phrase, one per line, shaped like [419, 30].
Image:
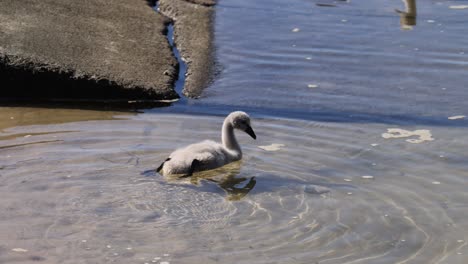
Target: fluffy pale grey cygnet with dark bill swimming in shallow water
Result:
[208, 154]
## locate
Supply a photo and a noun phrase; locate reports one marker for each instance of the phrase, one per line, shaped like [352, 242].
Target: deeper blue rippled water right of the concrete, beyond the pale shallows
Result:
[356, 53]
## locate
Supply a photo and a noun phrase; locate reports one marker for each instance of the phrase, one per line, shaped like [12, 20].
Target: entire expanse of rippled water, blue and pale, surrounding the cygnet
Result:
[360, 155]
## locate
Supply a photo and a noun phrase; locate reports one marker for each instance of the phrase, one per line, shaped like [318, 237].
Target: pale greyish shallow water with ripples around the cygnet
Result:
[91, 195]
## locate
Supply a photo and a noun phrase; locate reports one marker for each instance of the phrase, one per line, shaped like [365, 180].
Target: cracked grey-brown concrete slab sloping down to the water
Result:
[96, 49]
